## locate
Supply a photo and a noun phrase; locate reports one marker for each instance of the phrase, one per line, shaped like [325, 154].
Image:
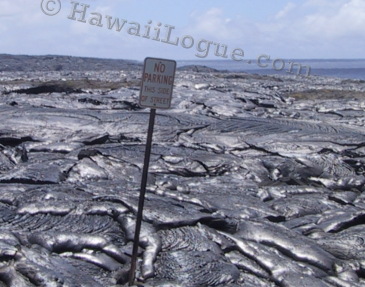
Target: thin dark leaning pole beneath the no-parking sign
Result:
[142, 196]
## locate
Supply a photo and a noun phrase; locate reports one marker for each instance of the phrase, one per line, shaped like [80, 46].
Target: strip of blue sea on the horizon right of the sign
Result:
[346, 69]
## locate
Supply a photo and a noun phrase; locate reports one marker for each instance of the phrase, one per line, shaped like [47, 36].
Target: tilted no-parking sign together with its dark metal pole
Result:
[155, 93]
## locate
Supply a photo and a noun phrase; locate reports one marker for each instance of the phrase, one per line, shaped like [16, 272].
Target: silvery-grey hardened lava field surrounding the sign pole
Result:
[254, 180]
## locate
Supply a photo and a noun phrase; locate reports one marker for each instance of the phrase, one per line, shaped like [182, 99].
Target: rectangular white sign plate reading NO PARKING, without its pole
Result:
[157, 83]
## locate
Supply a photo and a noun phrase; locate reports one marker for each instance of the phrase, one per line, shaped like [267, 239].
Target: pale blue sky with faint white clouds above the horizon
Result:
[185, 29]
